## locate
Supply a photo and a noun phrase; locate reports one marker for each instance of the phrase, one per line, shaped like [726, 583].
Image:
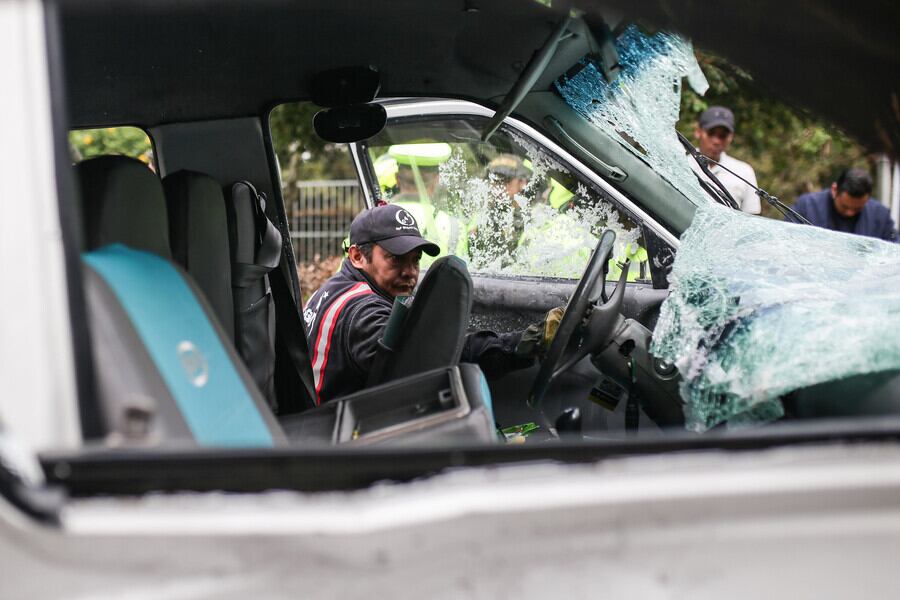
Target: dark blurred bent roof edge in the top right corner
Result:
[840, 61]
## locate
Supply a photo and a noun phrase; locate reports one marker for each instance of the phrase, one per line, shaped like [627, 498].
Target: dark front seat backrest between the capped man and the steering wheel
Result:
[434, 330]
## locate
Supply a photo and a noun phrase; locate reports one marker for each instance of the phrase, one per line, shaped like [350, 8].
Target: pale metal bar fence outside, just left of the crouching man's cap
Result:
[320, 213]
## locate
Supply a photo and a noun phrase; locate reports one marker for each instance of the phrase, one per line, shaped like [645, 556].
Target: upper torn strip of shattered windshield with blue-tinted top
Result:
[639, 108]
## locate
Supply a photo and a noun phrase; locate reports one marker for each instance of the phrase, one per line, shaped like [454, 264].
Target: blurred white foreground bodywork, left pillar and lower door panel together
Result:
[813, 521]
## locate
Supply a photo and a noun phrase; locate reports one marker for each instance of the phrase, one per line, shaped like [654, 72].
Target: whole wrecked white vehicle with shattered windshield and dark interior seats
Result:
[720, 398]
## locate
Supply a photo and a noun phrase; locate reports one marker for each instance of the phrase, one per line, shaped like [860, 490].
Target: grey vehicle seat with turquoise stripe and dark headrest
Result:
[166, 369]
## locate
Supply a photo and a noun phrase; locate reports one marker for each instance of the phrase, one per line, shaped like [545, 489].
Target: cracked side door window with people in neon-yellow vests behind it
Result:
[506, 206]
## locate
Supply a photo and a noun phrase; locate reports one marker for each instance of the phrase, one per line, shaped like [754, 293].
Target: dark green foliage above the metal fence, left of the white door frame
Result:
[302, 155]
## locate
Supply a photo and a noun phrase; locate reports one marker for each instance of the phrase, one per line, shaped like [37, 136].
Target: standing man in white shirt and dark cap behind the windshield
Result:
[714, 134]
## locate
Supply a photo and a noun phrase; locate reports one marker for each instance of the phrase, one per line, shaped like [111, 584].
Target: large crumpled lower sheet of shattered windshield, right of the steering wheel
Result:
[759, 308]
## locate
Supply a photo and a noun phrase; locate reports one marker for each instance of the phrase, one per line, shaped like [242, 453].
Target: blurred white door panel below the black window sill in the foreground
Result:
[814, 522]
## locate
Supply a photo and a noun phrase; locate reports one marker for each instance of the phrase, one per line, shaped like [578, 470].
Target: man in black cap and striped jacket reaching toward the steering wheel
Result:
[345, 318]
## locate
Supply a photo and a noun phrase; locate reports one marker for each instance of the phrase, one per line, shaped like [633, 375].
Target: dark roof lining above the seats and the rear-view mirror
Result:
[133, 63]
